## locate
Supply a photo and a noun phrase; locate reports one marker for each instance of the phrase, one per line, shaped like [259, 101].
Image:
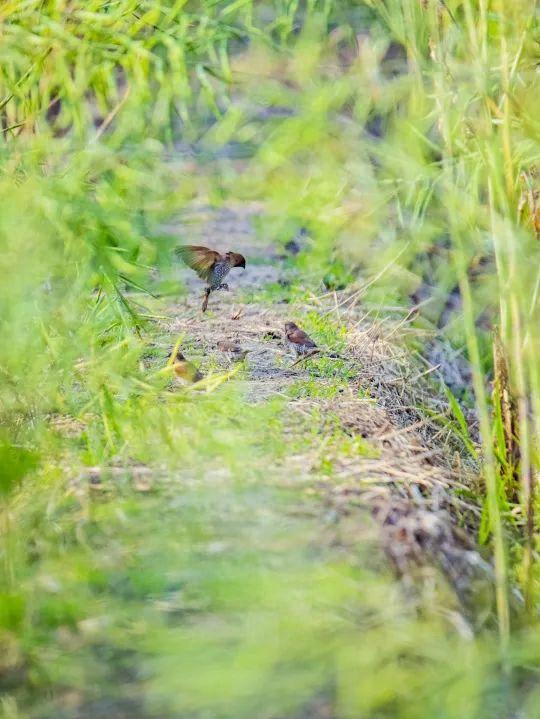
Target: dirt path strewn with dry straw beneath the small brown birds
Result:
[397, 458]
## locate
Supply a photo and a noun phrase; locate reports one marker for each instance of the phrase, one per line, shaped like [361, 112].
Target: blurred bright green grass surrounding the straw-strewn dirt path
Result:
[402, 138]
